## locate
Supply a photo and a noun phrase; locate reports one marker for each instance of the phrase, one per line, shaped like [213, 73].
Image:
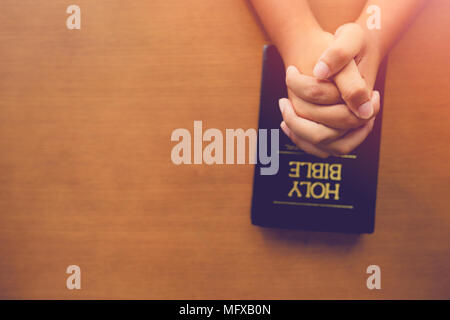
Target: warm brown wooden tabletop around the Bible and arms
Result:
[86, 176]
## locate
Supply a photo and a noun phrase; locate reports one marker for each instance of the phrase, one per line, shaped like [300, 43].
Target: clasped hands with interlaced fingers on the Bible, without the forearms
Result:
[331, 105]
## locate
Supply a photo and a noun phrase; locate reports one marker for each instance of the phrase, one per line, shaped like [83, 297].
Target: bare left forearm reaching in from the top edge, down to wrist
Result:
[287, 22]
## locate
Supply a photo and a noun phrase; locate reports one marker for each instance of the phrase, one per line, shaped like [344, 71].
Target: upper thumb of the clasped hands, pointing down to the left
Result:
[348, 43]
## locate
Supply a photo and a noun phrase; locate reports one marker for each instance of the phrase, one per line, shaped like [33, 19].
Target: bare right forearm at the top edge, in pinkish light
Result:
[395, 18]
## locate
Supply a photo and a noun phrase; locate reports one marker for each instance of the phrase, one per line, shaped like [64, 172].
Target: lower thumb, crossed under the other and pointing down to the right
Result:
[354, 91]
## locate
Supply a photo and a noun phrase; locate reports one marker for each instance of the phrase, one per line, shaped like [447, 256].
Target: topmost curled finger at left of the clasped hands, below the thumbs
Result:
[311, 89]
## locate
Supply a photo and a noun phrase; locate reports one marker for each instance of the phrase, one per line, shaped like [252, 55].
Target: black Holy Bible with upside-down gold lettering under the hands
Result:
[337, 194]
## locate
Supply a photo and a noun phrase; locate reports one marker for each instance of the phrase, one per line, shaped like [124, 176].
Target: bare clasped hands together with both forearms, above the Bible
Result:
[331, 110]
